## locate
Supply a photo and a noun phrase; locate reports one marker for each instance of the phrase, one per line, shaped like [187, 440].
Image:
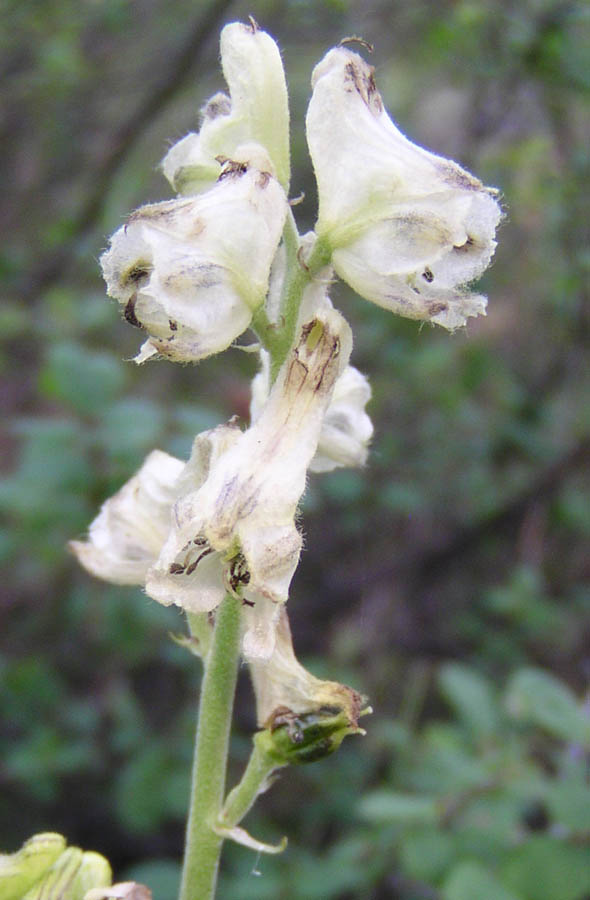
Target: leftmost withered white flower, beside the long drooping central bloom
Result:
[127, 535]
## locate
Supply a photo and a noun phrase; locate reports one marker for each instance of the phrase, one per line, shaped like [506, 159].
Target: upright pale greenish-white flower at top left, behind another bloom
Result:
[257, 111]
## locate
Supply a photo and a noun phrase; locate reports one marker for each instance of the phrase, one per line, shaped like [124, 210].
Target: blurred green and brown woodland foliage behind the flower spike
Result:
[449, 580]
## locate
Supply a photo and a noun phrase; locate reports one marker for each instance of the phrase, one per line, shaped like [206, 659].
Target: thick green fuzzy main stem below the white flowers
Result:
[203, 845]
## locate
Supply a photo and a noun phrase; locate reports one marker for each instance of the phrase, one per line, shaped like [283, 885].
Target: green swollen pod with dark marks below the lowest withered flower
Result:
[295, 739]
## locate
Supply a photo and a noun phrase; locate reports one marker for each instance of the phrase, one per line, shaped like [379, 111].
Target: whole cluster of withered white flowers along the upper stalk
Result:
[406, 229]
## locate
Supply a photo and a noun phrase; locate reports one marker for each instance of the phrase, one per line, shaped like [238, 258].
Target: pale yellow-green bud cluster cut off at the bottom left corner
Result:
[44, 869]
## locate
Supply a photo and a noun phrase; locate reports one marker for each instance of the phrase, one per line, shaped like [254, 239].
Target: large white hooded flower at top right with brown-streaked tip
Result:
[408, 229]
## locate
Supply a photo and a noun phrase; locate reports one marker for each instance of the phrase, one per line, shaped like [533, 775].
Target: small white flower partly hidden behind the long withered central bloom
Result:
[346, 428]
